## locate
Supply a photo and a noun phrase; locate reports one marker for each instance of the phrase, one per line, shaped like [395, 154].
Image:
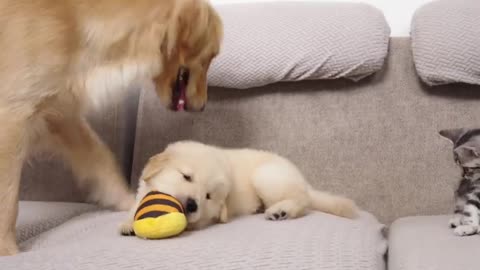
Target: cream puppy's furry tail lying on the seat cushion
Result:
[332, 204]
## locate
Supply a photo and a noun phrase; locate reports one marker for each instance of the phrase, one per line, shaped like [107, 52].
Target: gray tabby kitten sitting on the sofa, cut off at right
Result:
[466, 152]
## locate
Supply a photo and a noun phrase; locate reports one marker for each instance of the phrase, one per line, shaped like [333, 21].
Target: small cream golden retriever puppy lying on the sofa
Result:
[216, 184]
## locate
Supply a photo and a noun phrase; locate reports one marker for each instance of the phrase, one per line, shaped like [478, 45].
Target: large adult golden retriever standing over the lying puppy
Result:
[60, 58]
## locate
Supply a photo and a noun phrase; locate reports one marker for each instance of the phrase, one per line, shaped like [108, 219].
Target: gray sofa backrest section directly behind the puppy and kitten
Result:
[375, 141]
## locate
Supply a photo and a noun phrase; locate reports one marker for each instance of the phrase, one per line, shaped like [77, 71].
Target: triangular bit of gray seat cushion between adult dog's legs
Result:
[35, 218]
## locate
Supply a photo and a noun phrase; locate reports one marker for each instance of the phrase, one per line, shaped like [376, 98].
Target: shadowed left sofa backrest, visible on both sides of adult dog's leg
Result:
[46, 178]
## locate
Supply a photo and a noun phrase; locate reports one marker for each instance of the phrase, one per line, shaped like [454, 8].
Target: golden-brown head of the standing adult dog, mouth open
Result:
[192, 40]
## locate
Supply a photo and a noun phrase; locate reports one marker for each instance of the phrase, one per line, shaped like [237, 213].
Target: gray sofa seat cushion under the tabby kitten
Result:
[427, 242]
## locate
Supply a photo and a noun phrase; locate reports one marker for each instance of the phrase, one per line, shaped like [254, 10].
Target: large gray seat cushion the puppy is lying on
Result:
[312, 242]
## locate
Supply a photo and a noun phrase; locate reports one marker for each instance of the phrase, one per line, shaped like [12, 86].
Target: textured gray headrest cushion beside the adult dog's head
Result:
[267, 42]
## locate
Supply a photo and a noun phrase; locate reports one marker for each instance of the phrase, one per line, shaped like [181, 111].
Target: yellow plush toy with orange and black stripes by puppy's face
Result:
[159, 216]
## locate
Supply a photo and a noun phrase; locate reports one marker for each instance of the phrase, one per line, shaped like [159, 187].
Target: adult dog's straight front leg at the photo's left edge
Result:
[13, 146]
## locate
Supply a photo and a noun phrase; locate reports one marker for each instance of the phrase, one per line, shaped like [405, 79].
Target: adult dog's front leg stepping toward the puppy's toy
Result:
[92, 162]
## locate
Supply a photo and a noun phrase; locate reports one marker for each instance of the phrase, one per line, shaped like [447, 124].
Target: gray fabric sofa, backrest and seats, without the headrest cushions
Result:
[374, 140]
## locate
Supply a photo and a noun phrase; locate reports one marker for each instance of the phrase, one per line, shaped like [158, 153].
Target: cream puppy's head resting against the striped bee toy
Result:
[197, 175]
